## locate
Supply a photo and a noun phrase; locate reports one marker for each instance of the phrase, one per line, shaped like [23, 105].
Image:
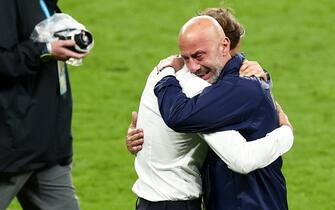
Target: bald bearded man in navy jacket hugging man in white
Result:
[230, 103]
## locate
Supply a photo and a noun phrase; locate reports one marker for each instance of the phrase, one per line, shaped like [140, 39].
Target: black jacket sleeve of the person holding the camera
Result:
[19, 56]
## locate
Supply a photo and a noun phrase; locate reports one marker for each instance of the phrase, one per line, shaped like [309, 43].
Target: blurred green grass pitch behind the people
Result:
[293, 40]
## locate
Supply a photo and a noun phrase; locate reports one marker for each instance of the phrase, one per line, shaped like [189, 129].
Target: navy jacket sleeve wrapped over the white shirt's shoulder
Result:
[223, 106]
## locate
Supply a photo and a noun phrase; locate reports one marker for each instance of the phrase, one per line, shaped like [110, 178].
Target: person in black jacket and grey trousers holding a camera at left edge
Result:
[35, 111]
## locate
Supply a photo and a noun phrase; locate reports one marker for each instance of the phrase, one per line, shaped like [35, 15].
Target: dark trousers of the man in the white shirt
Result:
[143, 204]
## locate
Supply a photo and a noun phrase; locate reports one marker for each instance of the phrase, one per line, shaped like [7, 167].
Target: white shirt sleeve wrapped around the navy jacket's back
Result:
[242, 156]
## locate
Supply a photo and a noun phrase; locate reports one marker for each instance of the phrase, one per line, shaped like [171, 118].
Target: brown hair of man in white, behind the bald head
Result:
[231, 27]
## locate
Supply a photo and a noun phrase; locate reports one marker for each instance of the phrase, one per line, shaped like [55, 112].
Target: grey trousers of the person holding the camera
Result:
[50, 188]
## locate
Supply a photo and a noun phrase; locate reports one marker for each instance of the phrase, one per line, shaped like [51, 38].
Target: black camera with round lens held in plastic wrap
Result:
[83, 39]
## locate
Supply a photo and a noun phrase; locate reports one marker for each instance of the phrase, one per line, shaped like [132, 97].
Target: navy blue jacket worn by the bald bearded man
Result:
[232, 103]
